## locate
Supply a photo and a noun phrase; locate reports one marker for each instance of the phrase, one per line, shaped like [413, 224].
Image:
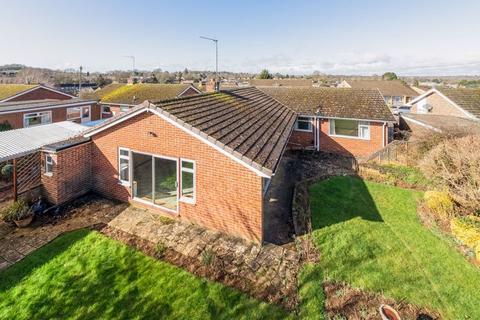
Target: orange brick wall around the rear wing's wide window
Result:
[352, 146]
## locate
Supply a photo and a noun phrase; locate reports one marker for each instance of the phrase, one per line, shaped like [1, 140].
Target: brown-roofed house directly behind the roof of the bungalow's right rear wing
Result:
[395, 92]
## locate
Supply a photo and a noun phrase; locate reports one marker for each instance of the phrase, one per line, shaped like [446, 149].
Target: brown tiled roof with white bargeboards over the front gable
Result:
[244, 123]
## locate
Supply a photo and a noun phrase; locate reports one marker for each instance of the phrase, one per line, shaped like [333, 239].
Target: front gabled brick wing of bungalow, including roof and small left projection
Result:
[207, 159]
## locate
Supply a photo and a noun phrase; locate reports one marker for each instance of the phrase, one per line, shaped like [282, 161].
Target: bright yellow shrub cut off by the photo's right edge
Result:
[467, 230]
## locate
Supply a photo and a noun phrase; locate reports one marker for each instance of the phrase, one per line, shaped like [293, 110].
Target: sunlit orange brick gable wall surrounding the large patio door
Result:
[228, 195]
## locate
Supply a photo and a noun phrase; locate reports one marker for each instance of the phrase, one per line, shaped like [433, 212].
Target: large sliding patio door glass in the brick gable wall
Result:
[155, 180]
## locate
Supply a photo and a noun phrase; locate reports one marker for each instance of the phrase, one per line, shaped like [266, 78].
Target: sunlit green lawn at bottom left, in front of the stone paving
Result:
[86, 275]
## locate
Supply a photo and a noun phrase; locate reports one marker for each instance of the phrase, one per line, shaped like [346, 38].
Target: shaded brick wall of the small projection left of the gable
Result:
[71, 176]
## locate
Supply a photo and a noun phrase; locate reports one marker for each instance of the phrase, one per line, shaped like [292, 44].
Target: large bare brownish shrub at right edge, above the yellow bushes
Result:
[455, 164]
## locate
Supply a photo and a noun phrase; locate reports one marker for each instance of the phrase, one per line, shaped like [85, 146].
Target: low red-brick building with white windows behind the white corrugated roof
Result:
[23, 114]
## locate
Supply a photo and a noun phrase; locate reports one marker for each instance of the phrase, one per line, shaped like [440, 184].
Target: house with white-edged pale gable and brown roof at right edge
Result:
[464, 103]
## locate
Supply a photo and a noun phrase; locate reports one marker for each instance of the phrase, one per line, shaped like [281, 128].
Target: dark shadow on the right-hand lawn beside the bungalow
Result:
[340, 199]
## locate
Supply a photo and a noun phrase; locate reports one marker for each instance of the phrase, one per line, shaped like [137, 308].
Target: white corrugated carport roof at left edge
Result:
[20, 142]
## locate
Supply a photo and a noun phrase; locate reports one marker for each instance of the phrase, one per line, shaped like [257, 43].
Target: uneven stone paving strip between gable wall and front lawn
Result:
[269, 271]
